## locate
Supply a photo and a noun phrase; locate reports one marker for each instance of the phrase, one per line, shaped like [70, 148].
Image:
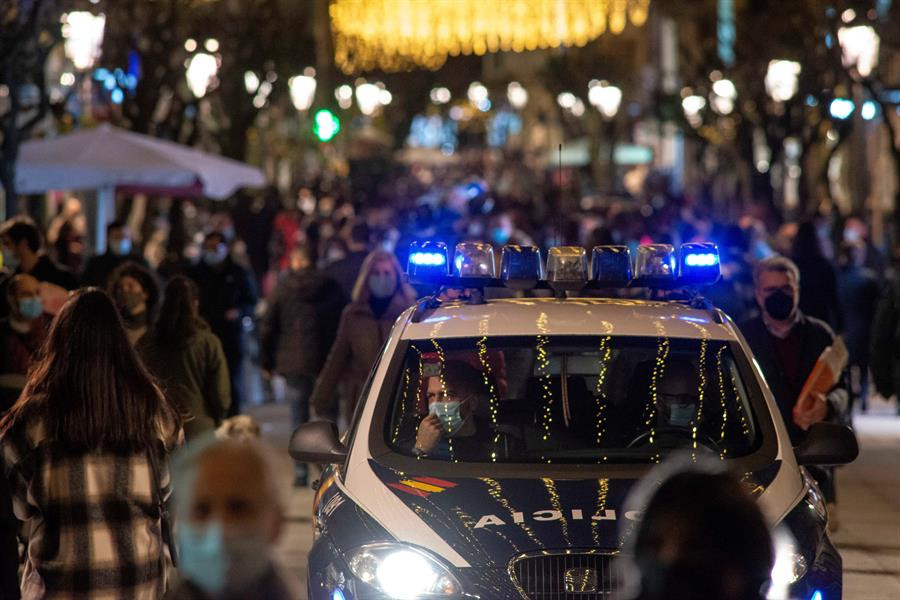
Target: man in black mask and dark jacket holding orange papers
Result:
[787, 344]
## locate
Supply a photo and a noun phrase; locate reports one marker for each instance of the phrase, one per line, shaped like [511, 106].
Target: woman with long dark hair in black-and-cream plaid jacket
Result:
[84, 449]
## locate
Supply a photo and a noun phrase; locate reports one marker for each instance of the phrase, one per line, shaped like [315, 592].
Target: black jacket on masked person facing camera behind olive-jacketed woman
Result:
[222, 288]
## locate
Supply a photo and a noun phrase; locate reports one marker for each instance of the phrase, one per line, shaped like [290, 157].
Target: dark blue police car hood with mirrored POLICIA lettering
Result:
[489, 520]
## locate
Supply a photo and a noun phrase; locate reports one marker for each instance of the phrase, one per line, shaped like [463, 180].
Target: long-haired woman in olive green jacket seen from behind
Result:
[187, 359]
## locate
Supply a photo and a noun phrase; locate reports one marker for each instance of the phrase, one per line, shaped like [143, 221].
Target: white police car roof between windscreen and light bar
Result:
[571, 316]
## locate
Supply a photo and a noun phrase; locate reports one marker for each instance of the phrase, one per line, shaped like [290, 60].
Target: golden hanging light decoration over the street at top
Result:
[398, 36]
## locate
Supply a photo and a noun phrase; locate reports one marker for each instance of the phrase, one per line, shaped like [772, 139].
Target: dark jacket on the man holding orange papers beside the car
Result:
[815, 336]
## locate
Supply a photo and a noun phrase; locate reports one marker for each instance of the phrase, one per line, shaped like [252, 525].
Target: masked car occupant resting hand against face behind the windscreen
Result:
[452, 430]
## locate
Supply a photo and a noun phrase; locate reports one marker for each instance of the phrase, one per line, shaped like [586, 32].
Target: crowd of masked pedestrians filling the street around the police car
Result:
[98, 386]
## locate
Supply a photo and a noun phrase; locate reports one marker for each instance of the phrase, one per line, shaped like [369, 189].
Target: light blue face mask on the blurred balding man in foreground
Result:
[217, 562]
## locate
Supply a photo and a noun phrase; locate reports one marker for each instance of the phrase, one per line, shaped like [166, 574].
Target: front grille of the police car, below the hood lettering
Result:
[573, 576]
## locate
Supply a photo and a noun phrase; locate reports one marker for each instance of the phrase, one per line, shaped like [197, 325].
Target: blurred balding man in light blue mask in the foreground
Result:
[229, 509]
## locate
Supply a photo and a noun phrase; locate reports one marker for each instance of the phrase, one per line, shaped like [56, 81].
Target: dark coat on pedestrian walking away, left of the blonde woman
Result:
[300, 323]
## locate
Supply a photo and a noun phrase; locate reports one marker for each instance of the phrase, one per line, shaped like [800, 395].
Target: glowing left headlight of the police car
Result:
[402, 572]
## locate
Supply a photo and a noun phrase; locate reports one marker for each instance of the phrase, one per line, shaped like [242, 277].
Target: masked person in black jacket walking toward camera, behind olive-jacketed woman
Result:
[227, 296]
